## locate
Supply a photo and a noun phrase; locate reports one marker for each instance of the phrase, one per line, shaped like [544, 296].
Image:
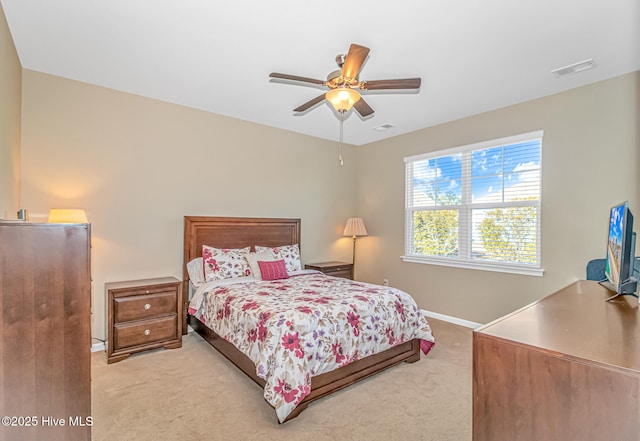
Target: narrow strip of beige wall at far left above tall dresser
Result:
[10, 89]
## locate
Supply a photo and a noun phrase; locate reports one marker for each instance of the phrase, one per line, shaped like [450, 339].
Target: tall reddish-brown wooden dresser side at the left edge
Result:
[45, 332]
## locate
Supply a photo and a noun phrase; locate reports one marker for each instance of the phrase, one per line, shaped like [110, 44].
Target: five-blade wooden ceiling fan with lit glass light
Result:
[344, 82]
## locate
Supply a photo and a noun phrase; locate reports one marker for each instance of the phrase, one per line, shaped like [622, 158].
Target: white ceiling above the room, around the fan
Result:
[472, 55]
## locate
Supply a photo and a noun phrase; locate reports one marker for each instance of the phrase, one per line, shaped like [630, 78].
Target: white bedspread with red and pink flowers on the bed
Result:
[306, 325]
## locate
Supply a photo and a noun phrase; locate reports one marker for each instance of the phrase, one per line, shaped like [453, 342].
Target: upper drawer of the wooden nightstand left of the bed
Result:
[139, 307]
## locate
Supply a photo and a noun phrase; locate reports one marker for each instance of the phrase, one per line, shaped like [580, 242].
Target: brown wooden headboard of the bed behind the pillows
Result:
[232, 232]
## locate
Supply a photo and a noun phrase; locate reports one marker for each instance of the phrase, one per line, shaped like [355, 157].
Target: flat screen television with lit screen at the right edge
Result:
[621, 245]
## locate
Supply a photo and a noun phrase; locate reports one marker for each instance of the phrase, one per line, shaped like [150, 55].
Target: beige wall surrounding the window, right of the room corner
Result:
[590, 162]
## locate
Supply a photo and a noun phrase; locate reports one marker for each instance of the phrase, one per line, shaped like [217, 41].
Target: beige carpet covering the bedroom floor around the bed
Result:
[194, 393]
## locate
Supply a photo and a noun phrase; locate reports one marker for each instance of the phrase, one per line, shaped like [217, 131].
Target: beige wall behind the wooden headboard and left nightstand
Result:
[137, 166]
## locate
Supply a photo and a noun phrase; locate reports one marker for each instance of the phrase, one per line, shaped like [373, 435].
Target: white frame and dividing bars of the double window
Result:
[464, 259]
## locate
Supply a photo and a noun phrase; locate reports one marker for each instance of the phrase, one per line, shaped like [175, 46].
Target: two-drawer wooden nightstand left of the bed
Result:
[143, 314]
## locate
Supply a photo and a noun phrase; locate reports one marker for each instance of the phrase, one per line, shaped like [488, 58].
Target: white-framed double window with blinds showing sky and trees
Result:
[476, 206]
